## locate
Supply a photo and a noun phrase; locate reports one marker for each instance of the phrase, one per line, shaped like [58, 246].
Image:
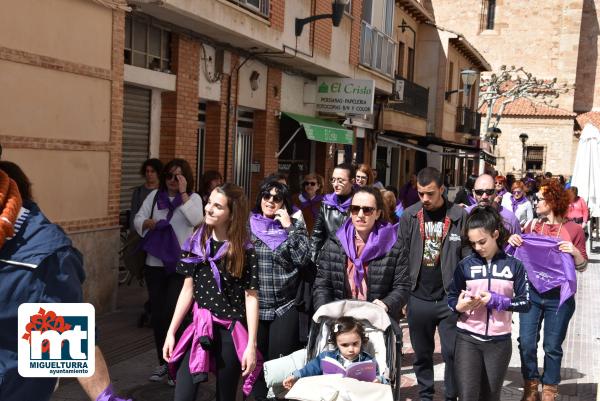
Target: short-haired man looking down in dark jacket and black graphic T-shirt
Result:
[430, 234]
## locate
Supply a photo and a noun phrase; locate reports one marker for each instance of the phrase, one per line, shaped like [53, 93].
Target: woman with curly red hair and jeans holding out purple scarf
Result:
[551, 249]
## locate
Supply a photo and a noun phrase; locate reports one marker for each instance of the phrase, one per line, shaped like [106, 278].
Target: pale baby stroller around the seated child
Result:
[384, 346]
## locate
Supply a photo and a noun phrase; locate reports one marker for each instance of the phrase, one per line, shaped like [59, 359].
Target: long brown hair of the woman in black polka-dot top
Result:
[237, 232]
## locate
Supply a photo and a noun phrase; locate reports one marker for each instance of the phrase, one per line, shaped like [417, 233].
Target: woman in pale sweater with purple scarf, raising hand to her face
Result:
[165, 220]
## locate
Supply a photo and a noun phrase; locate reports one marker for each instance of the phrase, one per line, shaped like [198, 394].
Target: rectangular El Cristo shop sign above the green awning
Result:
[345, 95]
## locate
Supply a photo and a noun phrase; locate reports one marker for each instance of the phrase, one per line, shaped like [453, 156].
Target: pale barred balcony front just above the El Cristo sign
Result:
[377, 50]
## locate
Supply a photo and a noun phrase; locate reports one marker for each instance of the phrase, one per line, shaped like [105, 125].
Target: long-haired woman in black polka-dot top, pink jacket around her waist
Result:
[221, 288]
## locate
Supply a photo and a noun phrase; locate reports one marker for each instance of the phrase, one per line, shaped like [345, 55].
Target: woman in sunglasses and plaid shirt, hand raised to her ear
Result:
[282, 250]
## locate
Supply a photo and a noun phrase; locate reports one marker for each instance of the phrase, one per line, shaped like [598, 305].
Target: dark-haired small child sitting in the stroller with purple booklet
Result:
[349, 337]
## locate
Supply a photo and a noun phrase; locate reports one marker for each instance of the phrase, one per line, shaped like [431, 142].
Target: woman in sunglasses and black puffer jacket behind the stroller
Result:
[362, 261]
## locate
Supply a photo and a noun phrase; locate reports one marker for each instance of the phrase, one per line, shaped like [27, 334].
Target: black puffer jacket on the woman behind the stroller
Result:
[387, 280]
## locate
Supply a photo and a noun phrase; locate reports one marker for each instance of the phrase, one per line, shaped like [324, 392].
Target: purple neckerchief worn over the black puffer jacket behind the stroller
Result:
[382, 238]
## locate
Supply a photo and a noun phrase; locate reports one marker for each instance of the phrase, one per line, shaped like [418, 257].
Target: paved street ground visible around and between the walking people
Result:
[131, 357]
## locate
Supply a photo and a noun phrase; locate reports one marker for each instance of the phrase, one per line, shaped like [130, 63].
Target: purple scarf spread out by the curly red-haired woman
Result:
[547, 267]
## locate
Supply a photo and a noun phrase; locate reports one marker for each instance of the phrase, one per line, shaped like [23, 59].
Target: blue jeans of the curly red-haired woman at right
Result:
[544, 307]
